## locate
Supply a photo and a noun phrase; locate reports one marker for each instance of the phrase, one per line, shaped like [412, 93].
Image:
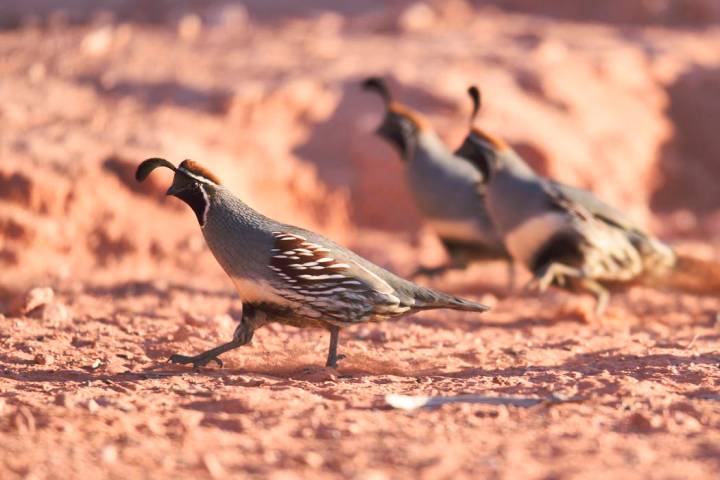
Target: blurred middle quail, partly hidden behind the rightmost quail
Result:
[447, 191]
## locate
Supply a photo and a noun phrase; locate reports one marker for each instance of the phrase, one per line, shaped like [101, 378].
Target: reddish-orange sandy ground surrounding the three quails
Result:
[273, 107]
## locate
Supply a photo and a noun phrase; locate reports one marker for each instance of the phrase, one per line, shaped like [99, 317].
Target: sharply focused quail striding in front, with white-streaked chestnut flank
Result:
[287, 274]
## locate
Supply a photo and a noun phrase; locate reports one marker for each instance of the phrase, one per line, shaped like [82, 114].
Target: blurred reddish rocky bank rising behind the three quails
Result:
[622, 97]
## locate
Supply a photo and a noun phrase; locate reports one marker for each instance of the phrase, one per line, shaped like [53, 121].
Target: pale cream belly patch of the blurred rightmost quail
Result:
[525, 240]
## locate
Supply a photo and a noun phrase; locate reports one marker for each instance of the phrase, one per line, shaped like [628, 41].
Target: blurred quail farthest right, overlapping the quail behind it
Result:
[565, 236]
